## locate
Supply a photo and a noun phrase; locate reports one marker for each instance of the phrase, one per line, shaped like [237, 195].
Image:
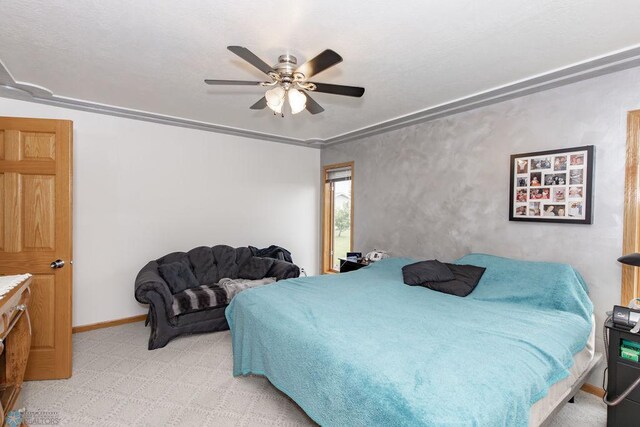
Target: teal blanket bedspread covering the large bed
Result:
[363, 348]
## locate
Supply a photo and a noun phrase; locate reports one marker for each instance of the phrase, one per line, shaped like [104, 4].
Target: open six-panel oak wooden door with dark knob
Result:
[35, 231]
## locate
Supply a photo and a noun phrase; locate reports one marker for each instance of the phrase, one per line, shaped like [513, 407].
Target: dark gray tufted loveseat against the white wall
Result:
[205, 265]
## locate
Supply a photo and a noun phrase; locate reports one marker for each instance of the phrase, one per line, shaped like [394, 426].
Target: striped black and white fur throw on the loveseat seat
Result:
[214, 295]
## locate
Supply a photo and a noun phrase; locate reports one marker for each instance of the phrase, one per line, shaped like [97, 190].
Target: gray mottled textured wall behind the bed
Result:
[441, 189]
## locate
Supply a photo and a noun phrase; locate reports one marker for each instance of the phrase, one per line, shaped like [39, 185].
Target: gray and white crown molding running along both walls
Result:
[617, 61]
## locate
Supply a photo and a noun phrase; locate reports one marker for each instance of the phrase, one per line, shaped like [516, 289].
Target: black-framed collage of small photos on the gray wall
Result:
[553, 186]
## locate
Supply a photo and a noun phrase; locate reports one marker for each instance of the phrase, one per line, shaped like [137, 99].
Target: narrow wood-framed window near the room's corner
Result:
[337, 215]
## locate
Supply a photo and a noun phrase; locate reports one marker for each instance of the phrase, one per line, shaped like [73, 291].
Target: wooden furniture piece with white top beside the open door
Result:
[15, 338]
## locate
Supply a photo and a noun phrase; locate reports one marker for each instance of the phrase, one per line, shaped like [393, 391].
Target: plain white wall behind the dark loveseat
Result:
[141, 190]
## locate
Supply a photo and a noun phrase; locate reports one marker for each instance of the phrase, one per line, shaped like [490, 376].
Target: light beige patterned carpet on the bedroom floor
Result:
[117, 382]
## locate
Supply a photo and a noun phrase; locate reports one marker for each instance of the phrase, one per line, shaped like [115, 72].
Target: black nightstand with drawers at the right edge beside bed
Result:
[622, 372]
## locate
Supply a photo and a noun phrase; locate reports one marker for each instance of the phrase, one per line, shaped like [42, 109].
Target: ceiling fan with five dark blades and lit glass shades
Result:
[291, 81]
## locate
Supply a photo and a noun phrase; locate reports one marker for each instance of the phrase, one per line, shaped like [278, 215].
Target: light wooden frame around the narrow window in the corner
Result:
[328, 212]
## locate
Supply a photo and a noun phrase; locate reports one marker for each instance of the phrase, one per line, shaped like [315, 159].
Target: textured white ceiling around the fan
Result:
[409, 55]
